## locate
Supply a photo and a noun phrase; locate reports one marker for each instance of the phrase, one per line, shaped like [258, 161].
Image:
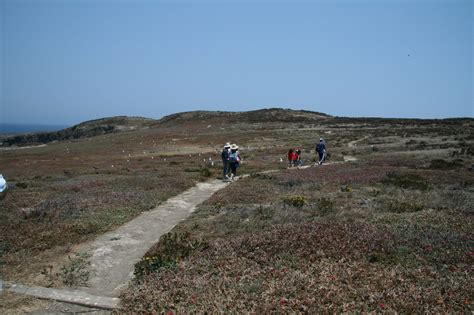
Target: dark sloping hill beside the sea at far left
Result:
[83, 130]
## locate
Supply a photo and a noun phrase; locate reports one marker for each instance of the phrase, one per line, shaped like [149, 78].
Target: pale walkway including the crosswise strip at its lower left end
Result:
[114, 254]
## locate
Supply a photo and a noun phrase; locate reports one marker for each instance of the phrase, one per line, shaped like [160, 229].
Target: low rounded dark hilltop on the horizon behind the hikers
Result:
[255, 116]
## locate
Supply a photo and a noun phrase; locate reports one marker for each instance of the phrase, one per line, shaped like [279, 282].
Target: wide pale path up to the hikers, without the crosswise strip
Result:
[114, 254]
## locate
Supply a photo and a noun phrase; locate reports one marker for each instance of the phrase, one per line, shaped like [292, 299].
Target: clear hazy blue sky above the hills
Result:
[64, 62]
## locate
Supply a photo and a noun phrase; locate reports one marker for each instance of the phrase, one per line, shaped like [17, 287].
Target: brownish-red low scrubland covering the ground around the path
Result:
[385, 225]
